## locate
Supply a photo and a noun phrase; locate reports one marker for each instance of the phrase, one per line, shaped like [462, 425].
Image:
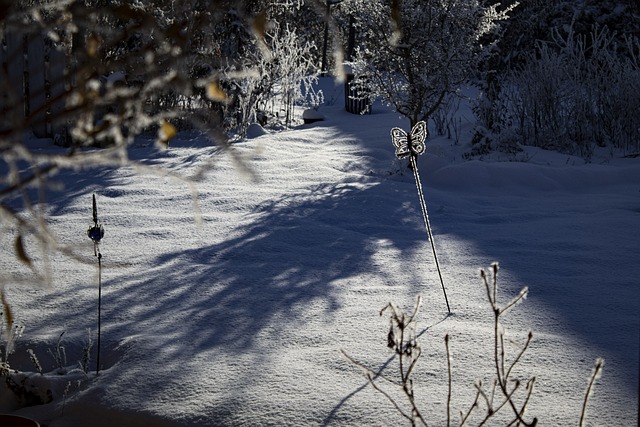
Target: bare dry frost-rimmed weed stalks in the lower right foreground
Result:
[507, 393]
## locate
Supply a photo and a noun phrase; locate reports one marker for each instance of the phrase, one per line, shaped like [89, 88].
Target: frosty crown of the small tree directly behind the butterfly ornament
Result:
[416, 52]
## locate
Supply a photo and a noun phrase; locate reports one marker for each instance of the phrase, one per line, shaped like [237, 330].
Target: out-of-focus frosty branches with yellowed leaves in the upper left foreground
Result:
[164, 54]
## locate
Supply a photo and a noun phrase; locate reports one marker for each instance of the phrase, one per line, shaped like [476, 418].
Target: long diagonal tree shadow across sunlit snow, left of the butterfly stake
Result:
[221, 296]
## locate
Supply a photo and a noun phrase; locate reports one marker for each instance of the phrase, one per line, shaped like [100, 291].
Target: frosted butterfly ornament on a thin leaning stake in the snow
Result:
[411, 146]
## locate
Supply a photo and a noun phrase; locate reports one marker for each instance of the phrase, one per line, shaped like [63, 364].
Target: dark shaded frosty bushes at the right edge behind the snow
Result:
[571, 94]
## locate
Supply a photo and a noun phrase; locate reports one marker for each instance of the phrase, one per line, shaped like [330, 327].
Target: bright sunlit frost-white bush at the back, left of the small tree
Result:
[274, 74]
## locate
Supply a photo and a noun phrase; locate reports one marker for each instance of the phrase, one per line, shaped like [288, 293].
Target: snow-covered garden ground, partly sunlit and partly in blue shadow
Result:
[234, 311]
